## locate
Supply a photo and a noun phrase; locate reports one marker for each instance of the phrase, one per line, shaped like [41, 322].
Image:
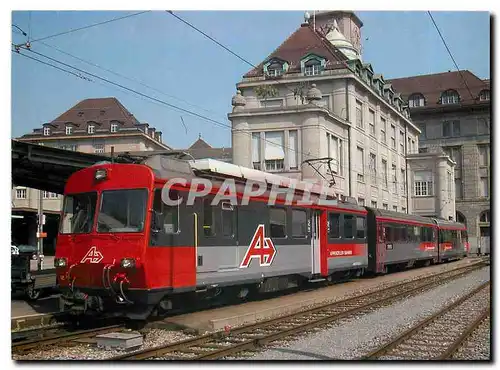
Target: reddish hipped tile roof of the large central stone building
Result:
[300, 43]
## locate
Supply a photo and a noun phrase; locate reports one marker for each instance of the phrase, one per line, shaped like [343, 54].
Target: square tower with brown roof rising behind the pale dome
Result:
[348, 23]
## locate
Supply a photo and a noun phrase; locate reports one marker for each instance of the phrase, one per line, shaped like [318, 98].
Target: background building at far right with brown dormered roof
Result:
[462, 131]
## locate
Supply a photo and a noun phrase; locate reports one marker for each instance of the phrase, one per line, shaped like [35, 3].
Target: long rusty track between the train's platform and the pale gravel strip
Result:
[250, 338]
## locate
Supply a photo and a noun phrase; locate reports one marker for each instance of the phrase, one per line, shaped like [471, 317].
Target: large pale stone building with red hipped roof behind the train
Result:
[297, 121]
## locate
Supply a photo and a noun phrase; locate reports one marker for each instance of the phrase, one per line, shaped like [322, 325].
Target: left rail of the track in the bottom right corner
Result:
[394, 343]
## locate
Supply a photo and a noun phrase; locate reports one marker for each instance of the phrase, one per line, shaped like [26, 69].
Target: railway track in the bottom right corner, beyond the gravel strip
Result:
[439, 336]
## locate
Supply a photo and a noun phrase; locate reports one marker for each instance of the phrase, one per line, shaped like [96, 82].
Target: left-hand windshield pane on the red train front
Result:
[79, 211]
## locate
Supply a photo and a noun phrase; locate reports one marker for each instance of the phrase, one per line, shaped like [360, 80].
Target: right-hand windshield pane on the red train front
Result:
[122, 211]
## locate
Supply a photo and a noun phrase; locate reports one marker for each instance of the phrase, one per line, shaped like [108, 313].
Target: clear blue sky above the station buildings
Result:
[187, 70]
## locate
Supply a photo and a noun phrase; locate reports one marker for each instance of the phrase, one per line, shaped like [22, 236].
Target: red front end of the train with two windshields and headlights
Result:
[102, 238]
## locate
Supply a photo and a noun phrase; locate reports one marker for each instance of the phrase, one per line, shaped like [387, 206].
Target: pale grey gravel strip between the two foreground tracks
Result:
[356, 336]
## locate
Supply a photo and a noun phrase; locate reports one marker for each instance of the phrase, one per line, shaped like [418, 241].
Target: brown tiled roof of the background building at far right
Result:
[433, 85]
